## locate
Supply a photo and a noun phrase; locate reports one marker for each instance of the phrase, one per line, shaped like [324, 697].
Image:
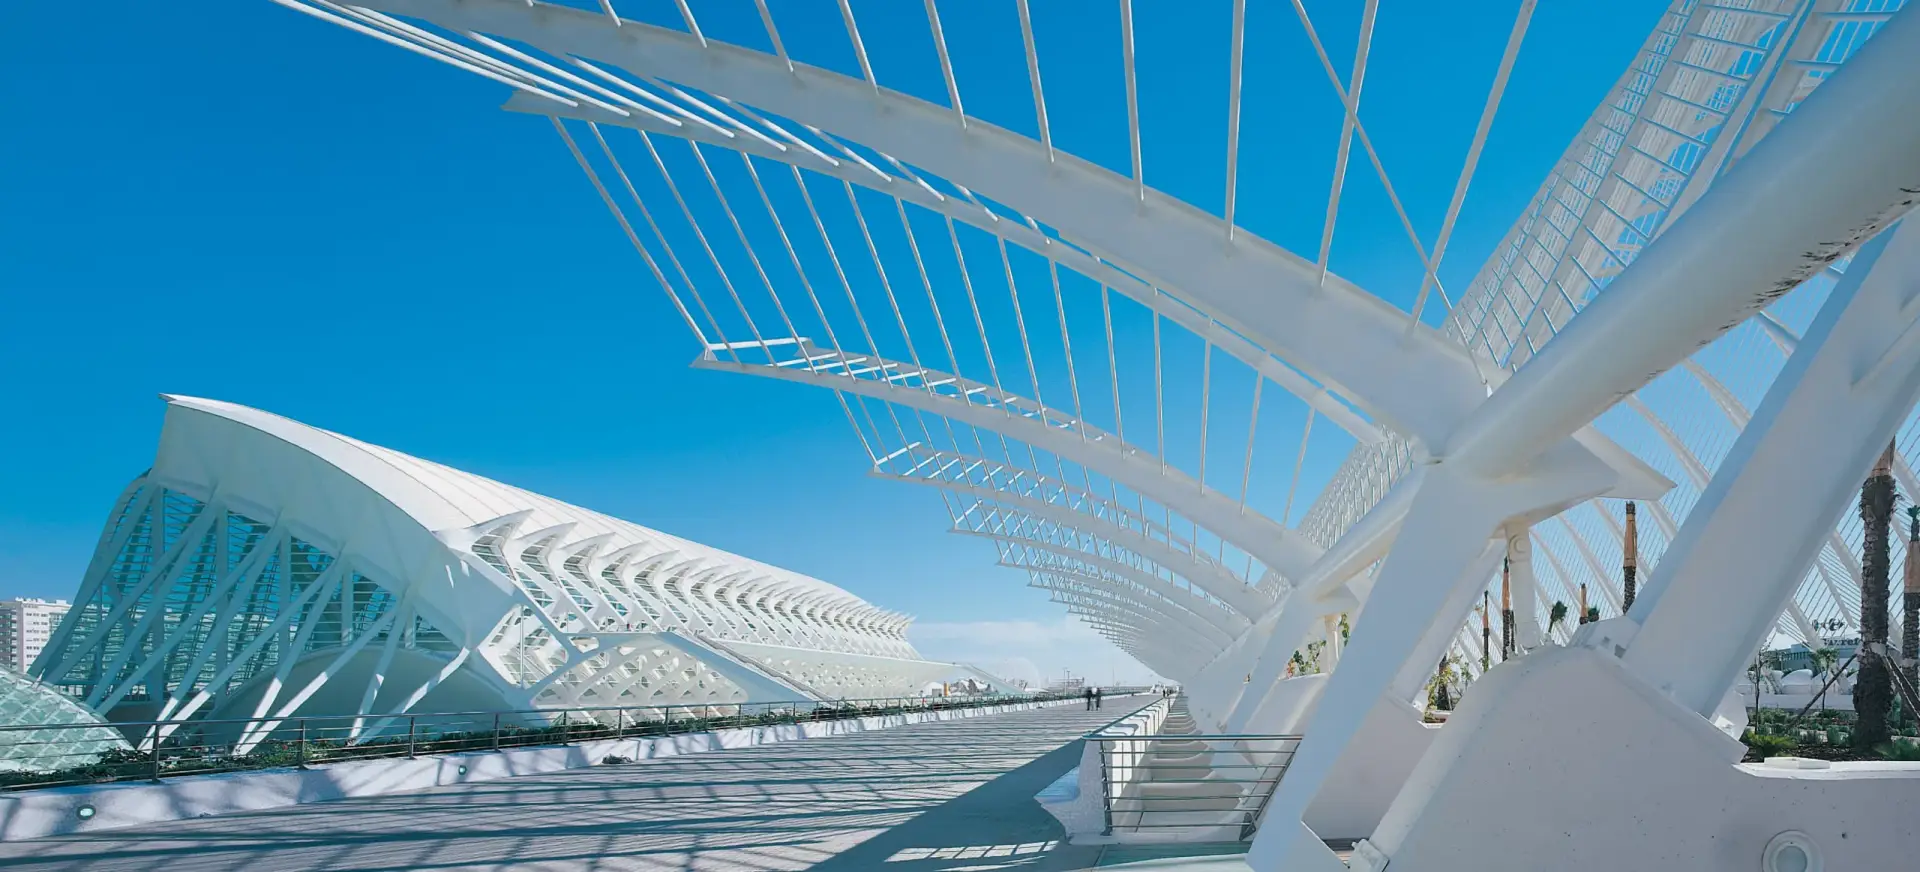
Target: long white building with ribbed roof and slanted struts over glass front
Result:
[266, 569]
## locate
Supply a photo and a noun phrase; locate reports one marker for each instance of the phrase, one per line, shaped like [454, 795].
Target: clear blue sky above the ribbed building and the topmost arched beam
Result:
[247, 205]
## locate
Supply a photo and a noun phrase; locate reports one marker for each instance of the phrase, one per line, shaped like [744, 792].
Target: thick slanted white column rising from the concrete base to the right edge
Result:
[1760, 525]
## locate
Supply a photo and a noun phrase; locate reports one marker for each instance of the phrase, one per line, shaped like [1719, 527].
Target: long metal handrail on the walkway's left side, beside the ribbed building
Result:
[178, 748]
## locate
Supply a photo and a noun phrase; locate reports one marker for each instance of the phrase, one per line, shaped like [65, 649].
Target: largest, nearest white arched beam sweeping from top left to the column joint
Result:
[1339, 335]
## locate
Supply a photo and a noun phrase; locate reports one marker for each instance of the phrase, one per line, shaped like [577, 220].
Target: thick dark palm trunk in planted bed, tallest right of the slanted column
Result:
[1873, 692]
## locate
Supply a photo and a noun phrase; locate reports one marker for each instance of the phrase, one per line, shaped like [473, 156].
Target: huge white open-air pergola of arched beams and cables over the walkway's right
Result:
[1685, 316]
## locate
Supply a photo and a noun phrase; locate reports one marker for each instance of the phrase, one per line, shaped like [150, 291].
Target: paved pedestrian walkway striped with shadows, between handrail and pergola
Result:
[926, 798]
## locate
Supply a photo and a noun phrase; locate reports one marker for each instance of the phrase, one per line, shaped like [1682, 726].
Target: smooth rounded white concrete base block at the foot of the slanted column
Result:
[1568, 762]
